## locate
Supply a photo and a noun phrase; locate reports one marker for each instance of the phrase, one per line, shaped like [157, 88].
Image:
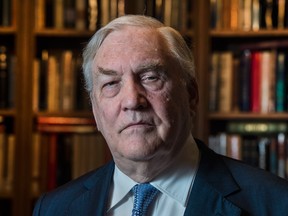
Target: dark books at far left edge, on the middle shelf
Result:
[7, 76]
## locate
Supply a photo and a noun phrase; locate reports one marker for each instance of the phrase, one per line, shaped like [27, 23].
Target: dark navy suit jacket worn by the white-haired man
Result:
[222, 186]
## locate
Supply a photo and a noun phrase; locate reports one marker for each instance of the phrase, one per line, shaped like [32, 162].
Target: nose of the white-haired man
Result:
[133, 96]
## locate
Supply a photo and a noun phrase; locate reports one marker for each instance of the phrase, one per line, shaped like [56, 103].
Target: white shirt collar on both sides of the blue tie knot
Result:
[182, 171]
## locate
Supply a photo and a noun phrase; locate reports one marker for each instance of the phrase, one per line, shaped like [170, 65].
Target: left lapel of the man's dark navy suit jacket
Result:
[93, 201]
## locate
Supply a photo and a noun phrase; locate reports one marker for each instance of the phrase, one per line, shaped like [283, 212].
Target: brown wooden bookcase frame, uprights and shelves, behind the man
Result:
[25, 37]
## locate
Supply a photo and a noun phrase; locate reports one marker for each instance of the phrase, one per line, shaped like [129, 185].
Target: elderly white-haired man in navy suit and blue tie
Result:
[141, 80]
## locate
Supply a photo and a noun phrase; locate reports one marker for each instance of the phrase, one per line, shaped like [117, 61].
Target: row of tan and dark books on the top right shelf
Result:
[249, 14]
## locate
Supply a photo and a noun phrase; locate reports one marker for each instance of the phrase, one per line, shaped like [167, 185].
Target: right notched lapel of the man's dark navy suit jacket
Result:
[213, 184]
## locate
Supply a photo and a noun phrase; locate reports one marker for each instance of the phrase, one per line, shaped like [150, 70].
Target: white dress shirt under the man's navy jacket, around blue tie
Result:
[174, 184]
